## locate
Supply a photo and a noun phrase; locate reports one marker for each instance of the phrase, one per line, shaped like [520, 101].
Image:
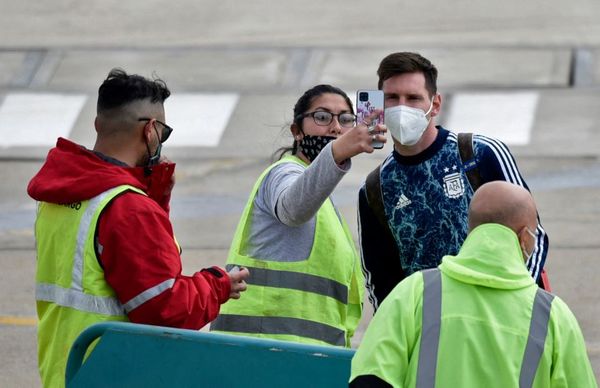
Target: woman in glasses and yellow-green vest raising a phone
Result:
[306, 283]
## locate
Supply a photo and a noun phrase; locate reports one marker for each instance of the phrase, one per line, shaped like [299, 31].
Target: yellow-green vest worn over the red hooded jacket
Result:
[71, 292]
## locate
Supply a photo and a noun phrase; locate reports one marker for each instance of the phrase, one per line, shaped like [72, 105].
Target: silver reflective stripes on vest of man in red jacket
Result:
[74, 297]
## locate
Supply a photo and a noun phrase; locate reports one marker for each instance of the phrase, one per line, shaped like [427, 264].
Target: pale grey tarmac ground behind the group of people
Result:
[531, 70]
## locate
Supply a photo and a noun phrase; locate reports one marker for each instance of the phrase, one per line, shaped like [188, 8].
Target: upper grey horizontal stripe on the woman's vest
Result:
[297, 281]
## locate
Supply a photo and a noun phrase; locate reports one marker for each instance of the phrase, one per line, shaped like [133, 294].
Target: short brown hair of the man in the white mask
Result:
[407, 62]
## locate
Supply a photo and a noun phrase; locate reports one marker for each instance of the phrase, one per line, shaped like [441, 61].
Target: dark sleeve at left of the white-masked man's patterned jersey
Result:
[379, 253]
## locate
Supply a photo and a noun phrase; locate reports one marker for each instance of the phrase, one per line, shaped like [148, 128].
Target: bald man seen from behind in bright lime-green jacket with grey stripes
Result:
[478, 319]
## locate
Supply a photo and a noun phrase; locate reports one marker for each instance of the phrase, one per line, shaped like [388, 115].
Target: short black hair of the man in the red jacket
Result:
[119, 89]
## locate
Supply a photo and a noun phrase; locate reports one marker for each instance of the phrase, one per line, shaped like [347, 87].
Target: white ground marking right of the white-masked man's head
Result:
[505, 116]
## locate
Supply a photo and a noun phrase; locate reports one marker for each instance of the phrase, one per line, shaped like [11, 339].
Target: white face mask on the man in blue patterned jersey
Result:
[407, 124]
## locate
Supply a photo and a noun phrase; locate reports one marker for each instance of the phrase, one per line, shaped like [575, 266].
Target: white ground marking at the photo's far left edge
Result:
[28, 119]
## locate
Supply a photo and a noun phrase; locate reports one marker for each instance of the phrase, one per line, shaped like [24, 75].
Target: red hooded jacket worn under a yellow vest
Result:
[139, 251]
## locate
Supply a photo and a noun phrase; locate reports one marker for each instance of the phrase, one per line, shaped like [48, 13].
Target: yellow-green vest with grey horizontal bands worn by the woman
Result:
[304, 301]
